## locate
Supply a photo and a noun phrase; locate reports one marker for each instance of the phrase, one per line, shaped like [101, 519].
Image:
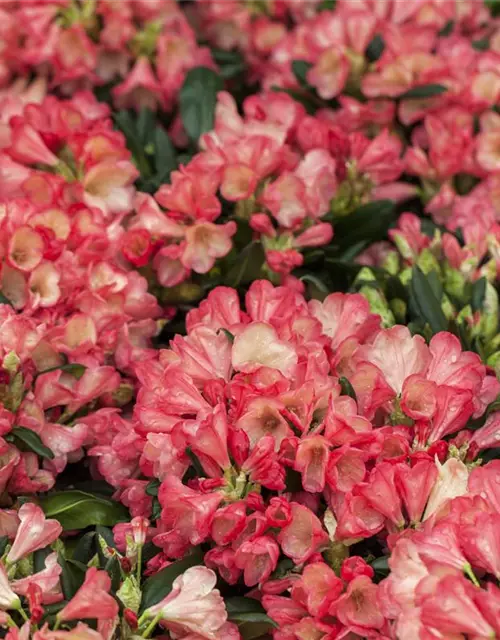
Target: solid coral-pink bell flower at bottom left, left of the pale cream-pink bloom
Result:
[92, 600]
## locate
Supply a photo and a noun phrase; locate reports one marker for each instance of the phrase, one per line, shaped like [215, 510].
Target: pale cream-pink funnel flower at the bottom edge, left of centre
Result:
[193, 605]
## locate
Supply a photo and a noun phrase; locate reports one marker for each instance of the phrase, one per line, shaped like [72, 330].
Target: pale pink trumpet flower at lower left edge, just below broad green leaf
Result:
[34, 532]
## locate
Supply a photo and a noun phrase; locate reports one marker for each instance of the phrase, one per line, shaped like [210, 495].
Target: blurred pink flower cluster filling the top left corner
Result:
[144, 47]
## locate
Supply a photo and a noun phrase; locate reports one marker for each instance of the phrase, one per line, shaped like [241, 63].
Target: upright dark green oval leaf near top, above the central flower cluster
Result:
[197, 100]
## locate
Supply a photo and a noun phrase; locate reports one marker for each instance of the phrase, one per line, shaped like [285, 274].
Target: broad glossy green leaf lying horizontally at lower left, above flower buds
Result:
[79, 510]
